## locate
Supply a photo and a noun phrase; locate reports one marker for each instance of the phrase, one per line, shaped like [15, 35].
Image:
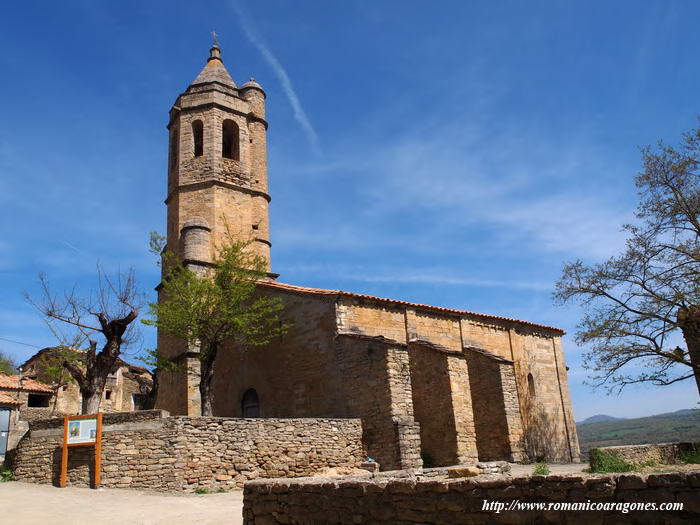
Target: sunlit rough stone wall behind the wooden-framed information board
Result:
[150, 449]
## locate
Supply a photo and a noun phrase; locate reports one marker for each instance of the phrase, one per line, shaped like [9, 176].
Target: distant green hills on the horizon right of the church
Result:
[682, 425]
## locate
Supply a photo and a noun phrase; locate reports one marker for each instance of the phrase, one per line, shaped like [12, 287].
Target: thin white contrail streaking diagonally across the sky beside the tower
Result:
[253, 35]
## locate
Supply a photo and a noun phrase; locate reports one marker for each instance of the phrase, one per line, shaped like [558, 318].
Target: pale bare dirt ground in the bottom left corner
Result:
[27, 503]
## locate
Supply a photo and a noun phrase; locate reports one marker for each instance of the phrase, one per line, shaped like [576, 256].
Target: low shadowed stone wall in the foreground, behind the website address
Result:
[421, 499]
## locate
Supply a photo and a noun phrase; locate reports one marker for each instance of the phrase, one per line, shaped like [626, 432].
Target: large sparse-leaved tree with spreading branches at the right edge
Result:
[643, 307]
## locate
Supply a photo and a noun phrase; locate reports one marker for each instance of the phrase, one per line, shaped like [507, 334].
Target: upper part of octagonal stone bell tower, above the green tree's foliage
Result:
[217, 166]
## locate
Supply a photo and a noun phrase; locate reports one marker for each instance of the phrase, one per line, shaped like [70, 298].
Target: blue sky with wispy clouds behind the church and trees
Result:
[454, 155]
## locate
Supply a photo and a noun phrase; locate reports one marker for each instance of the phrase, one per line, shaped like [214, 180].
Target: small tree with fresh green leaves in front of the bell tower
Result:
[210, 308]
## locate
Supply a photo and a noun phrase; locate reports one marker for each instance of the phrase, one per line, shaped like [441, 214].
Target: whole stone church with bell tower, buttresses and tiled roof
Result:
[433, 386]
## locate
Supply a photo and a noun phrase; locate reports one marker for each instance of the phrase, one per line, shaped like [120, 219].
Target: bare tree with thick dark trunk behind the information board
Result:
[114, 305]
